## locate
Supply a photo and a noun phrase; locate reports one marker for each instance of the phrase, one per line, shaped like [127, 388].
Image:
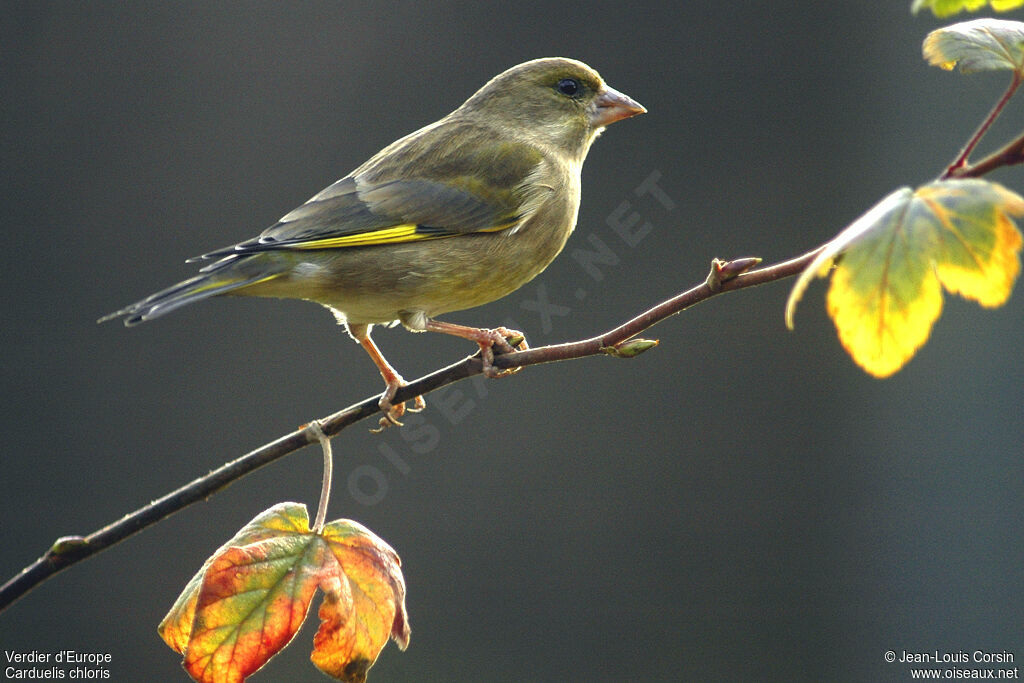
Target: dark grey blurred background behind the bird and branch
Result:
[742, 503]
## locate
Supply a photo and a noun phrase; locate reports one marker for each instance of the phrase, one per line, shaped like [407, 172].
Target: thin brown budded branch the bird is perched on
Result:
[726, 277]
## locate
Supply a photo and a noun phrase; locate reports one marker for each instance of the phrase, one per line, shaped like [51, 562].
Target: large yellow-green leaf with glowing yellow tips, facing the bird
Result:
[892, 264]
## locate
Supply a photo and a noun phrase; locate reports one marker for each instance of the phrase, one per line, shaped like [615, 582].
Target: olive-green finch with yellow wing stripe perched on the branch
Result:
[455, 216]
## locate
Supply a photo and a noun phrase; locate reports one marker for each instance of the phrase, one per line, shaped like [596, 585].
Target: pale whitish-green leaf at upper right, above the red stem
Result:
[979, 46]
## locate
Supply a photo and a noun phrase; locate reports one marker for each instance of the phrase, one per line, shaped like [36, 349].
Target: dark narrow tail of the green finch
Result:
[226, 276]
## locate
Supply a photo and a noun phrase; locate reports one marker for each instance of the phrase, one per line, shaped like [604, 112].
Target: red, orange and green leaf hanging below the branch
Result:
[250, 599]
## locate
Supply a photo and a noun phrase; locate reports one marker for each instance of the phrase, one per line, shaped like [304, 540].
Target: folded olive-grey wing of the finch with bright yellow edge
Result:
[421, 188]
